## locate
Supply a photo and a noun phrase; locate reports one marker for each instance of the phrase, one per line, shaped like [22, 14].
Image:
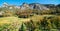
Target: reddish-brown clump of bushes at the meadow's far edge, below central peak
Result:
[24, 14]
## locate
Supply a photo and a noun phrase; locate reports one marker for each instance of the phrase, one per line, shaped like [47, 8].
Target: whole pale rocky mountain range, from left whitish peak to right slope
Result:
[26, 6]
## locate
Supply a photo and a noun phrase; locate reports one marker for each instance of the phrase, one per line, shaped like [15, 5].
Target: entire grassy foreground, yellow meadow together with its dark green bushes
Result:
[34, 23]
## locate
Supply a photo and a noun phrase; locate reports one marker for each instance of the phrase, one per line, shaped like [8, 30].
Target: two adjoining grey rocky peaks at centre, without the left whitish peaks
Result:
[36, 6]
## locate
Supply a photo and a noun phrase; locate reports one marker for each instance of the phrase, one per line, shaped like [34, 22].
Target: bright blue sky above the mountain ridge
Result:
[19, 2]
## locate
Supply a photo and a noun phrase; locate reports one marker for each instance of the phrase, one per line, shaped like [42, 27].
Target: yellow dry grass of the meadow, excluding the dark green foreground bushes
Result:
[16, 22]
